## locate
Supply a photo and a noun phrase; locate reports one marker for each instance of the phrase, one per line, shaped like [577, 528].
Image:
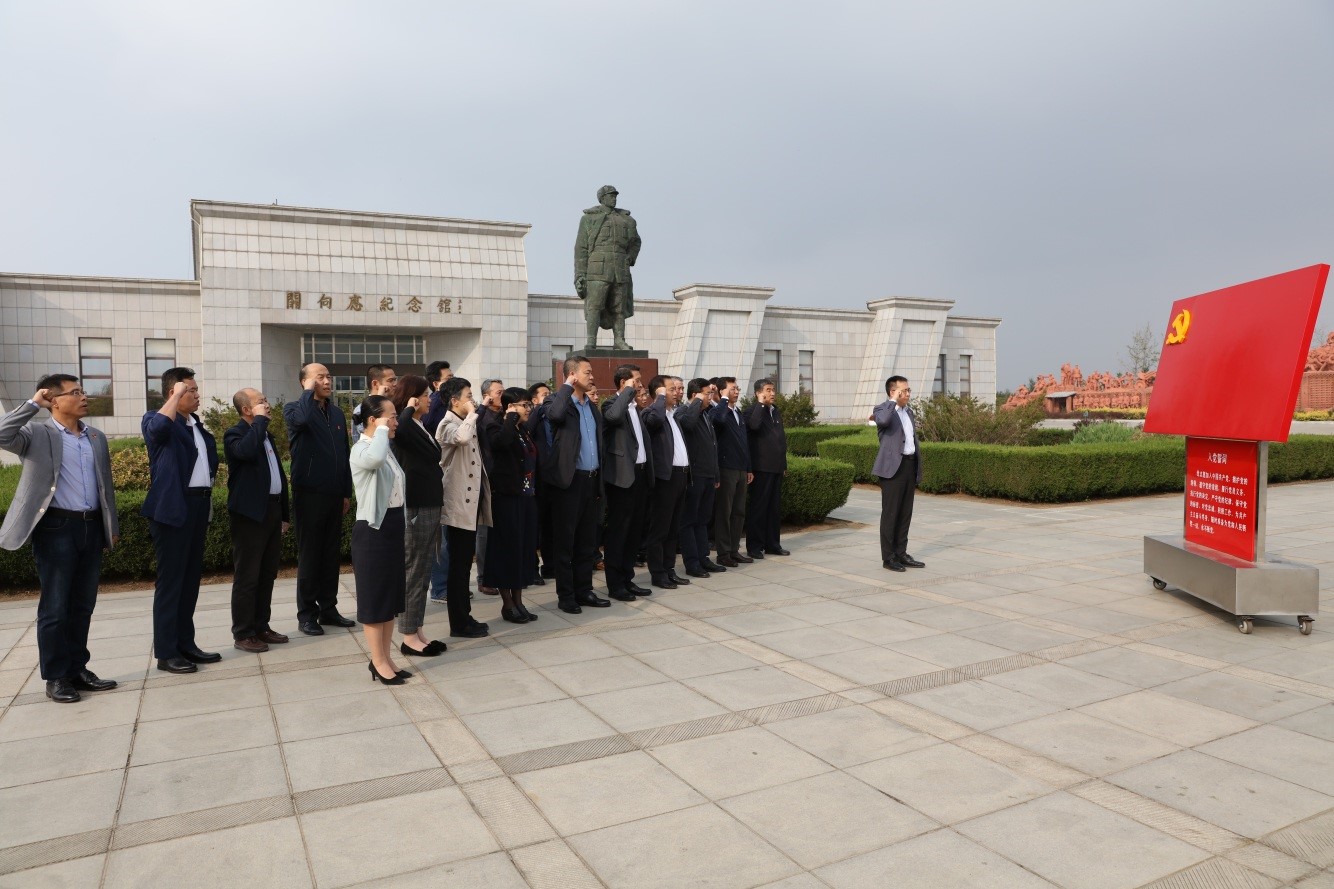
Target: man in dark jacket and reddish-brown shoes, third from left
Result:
[257, 504]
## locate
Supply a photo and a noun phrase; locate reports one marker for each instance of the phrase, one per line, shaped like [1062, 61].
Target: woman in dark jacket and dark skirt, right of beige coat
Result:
[514, 508]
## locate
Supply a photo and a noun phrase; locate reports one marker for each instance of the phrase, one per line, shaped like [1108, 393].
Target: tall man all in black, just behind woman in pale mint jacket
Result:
[322, 492]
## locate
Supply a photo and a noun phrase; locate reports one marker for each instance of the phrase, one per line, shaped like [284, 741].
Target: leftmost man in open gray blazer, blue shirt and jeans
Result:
[67, 507]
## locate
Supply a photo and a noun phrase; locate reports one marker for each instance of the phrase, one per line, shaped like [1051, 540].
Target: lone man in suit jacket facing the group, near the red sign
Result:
[900, 469]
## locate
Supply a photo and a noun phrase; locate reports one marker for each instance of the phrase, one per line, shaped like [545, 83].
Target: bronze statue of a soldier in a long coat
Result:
[605, 250]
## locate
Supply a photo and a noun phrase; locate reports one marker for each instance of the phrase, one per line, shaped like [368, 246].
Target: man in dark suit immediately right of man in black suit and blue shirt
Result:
[628, 479]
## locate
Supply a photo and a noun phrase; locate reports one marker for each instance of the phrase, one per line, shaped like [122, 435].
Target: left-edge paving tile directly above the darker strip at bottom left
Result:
[67, 807]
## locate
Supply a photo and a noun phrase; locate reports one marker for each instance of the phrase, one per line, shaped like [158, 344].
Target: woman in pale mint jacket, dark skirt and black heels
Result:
[378, 536]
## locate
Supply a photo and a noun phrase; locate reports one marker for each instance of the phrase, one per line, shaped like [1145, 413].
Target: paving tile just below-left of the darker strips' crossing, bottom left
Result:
[348, 846]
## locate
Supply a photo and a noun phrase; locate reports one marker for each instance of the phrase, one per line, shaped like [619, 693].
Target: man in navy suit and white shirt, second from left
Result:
[182, 464]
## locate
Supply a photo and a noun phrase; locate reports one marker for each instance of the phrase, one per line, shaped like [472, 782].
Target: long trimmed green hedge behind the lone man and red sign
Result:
[1068, 473]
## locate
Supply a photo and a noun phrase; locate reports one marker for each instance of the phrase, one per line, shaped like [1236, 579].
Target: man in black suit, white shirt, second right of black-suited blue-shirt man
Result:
[672, 475]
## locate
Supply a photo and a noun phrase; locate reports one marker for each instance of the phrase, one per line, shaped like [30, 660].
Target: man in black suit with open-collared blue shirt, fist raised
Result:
[577, 476]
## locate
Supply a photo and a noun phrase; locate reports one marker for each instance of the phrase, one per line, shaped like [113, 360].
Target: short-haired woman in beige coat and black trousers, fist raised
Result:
[468, 500]
